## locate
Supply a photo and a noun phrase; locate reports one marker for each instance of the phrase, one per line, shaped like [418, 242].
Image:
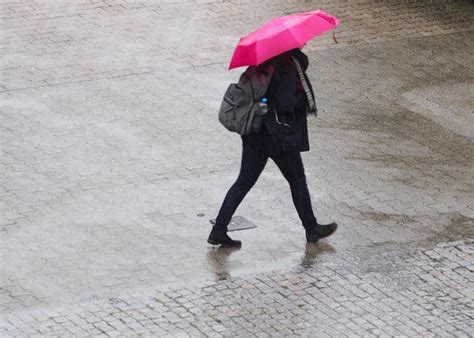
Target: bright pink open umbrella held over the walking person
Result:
[281, 35]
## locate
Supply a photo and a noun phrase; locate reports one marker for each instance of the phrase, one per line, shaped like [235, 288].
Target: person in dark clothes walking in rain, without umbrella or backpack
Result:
[282, 137]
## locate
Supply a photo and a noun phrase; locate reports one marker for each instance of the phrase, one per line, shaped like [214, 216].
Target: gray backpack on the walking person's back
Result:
[240, 111]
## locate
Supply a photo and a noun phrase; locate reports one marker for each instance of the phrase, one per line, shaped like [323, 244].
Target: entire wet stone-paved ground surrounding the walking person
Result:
[111, 152]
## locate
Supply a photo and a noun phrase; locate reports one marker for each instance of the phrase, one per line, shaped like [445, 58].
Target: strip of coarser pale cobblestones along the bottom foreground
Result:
[419, 293]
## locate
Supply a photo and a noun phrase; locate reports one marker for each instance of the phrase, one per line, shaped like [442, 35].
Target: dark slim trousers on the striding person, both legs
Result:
[254, 158]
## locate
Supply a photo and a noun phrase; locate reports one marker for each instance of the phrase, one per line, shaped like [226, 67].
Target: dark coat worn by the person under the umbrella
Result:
[287, 97]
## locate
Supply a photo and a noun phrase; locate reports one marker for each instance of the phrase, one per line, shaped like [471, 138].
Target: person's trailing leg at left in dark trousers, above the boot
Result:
[253, 162]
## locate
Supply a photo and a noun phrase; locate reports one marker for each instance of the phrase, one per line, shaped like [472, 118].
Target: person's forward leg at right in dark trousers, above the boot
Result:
[291, 166]
